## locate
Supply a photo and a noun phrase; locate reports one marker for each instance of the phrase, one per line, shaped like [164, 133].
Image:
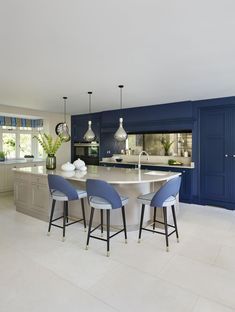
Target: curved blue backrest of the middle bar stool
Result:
[103, 190]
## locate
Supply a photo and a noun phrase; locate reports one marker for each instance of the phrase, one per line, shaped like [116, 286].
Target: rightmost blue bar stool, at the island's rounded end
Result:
[163, 198]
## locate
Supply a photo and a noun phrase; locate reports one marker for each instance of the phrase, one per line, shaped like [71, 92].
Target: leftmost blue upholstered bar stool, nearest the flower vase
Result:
[62, 190]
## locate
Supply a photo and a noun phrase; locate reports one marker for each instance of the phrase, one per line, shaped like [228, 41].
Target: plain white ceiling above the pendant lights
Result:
[161, 50]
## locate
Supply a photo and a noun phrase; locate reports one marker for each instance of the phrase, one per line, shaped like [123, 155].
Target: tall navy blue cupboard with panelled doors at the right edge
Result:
[217, 156]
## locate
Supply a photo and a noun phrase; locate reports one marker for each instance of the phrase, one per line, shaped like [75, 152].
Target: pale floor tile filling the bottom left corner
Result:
[28, 287]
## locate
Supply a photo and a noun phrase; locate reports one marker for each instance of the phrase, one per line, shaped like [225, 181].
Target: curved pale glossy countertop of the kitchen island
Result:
[109, 174]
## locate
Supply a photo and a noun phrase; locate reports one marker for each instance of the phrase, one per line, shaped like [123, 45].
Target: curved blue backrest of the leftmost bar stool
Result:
[58, 183]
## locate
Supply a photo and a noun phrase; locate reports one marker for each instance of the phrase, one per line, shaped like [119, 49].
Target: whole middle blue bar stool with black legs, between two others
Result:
[102, 196]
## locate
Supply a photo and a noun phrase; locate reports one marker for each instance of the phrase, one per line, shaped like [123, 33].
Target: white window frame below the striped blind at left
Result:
[18, 131]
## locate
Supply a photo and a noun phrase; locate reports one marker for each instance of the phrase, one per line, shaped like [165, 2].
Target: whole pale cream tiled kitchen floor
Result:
[41, 273]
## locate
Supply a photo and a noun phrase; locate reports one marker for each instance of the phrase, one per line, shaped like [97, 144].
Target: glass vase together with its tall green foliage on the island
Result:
[50, 146]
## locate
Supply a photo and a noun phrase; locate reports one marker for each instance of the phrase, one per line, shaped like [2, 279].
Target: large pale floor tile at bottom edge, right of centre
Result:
[130, 290]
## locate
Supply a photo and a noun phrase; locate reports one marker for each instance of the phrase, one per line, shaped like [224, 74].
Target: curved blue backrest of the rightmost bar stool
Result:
[170, 188]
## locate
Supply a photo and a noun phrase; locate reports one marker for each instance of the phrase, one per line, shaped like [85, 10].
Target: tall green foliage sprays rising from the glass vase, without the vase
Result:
[49, 144]
